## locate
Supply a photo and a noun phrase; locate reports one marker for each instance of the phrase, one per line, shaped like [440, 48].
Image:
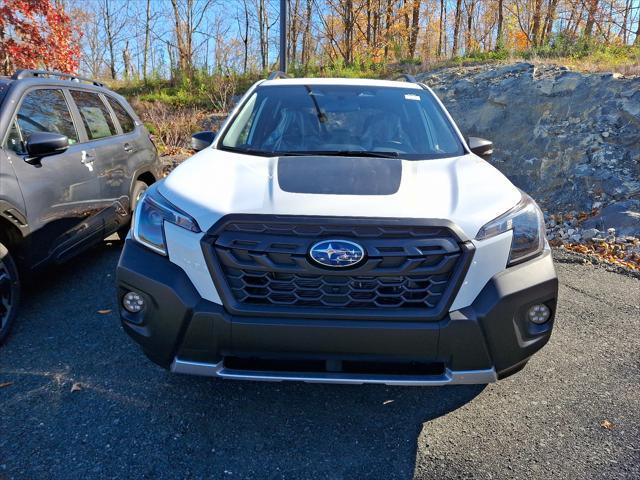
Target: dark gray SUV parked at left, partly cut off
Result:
[74, 159]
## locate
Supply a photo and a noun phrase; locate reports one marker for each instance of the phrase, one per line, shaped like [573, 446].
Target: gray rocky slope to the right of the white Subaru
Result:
[571, 140]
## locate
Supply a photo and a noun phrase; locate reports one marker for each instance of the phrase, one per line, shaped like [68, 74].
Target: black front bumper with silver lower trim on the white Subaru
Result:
[490, 339]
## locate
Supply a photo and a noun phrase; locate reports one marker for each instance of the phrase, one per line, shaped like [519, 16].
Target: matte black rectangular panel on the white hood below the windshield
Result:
[339, 175]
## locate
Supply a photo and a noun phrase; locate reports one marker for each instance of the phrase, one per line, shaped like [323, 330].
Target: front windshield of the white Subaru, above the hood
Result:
[342, 120]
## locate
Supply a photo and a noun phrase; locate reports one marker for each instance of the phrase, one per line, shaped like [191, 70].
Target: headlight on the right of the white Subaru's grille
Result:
[527, 222]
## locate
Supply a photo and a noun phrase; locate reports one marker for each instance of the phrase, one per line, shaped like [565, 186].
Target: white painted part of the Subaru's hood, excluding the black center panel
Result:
[465, 190]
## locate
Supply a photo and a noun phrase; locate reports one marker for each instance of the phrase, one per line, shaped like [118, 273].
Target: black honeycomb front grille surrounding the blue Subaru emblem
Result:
[261, 266]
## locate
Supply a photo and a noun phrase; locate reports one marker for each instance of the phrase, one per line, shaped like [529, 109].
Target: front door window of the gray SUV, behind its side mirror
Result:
[46, 110]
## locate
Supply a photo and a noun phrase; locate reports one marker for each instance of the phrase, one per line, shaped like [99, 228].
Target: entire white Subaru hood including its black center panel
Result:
[465, 190]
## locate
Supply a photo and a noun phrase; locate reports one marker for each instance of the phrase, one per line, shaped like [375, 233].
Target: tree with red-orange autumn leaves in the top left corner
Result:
[37, 34]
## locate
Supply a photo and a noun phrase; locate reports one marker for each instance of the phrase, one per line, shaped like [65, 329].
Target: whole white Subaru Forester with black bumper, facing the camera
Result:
[338, 231]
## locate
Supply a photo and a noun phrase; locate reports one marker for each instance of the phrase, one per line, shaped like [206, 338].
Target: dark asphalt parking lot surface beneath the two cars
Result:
[80, 401]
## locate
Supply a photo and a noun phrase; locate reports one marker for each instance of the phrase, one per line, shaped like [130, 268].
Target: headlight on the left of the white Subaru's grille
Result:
[151, 213]
